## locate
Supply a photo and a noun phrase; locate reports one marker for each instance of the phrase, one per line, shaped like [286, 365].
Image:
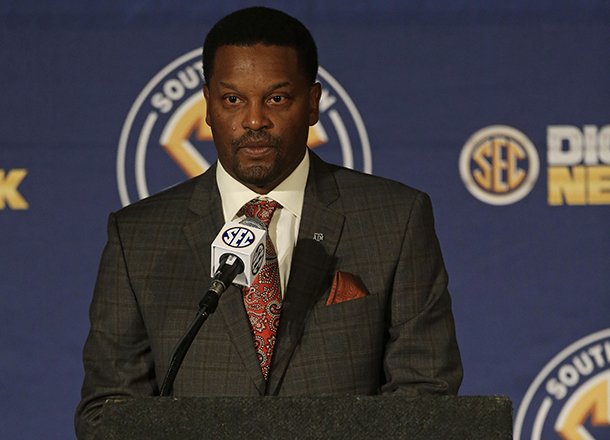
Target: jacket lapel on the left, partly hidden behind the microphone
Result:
[200, 234]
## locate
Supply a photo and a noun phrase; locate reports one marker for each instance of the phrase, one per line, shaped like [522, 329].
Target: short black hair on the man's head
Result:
[250, 26]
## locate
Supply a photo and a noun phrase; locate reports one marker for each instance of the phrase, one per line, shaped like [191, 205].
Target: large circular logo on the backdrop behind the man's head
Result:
[165, 138]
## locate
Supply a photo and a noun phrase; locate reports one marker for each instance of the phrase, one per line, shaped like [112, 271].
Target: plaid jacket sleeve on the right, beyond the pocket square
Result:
[421, 353]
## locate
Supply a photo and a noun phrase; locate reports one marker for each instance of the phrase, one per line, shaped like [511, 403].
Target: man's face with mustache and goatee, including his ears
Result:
[260, 107]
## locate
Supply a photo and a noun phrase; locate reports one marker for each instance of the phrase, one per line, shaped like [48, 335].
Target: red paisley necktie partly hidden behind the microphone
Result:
[263, 299]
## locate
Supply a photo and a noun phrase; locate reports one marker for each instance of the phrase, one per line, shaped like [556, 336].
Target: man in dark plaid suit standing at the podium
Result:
[363, 288]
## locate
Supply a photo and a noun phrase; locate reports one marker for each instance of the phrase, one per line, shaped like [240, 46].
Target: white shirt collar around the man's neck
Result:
[289, 193]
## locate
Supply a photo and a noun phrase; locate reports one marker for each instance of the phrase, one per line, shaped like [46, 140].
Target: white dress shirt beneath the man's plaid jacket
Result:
[284, 226]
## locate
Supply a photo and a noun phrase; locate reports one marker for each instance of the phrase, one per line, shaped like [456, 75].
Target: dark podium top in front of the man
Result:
[290, 418]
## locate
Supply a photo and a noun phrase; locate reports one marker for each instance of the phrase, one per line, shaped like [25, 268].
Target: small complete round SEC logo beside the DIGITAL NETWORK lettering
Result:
[499, 165]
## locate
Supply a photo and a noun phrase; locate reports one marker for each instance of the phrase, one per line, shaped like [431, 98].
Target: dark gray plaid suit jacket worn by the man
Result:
[155, 269]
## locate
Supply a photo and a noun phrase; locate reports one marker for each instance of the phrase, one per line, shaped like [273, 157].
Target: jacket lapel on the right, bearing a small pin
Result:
[313, 263]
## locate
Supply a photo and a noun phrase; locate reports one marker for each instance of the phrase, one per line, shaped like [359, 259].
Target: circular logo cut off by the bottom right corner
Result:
[570, 397]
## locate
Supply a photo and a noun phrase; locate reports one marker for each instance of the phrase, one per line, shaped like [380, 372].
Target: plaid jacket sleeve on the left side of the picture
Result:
[117, 355]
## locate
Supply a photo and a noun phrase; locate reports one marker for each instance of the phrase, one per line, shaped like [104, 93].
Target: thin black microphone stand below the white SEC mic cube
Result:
[230, 267]
